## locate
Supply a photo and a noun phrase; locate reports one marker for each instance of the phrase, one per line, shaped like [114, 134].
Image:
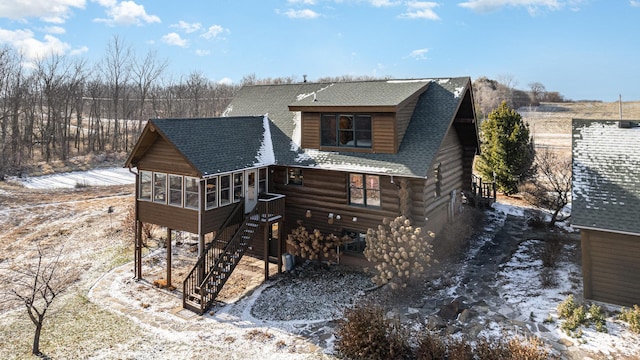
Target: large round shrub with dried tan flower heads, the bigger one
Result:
[400, 252]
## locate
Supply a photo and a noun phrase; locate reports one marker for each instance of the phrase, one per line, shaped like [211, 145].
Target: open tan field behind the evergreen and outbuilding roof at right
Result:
[550, 123]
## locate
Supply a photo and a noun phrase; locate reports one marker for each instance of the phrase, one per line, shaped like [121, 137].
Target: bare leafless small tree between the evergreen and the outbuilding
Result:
[551, 188]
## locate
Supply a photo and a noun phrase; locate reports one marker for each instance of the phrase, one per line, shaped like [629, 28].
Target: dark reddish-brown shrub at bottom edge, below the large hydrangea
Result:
[365, 333]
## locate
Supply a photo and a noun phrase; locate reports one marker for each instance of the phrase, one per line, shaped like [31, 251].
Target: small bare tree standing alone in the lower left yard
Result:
[36, 285]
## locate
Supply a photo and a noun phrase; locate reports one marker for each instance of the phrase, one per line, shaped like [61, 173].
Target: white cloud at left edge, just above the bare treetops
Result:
[32, 48]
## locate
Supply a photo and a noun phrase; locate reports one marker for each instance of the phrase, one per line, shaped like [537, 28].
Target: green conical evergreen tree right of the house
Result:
[507, 149]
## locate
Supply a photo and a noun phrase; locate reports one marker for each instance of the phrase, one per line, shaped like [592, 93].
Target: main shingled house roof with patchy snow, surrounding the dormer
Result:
[432, 117]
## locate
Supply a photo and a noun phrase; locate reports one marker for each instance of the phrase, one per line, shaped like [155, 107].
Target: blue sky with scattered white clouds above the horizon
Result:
[584, 49]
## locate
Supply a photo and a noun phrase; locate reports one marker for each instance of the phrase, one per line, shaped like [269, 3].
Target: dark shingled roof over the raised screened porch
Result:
[206, 142]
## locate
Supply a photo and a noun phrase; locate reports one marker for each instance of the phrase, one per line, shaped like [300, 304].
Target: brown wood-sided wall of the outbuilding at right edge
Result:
[610, 267]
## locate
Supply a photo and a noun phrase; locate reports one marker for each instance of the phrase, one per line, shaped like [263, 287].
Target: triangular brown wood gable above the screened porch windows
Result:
[163, 157]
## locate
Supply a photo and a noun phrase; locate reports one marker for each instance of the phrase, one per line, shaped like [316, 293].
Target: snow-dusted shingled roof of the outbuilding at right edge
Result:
[606, 176]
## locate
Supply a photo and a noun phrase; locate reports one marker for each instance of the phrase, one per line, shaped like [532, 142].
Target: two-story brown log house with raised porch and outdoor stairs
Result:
[338, 157]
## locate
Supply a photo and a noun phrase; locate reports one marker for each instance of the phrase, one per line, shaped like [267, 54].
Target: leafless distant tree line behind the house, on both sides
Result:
[60, 107]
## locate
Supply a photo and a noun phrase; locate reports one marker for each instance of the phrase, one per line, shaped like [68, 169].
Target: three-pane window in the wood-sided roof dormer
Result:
[346, 130]
